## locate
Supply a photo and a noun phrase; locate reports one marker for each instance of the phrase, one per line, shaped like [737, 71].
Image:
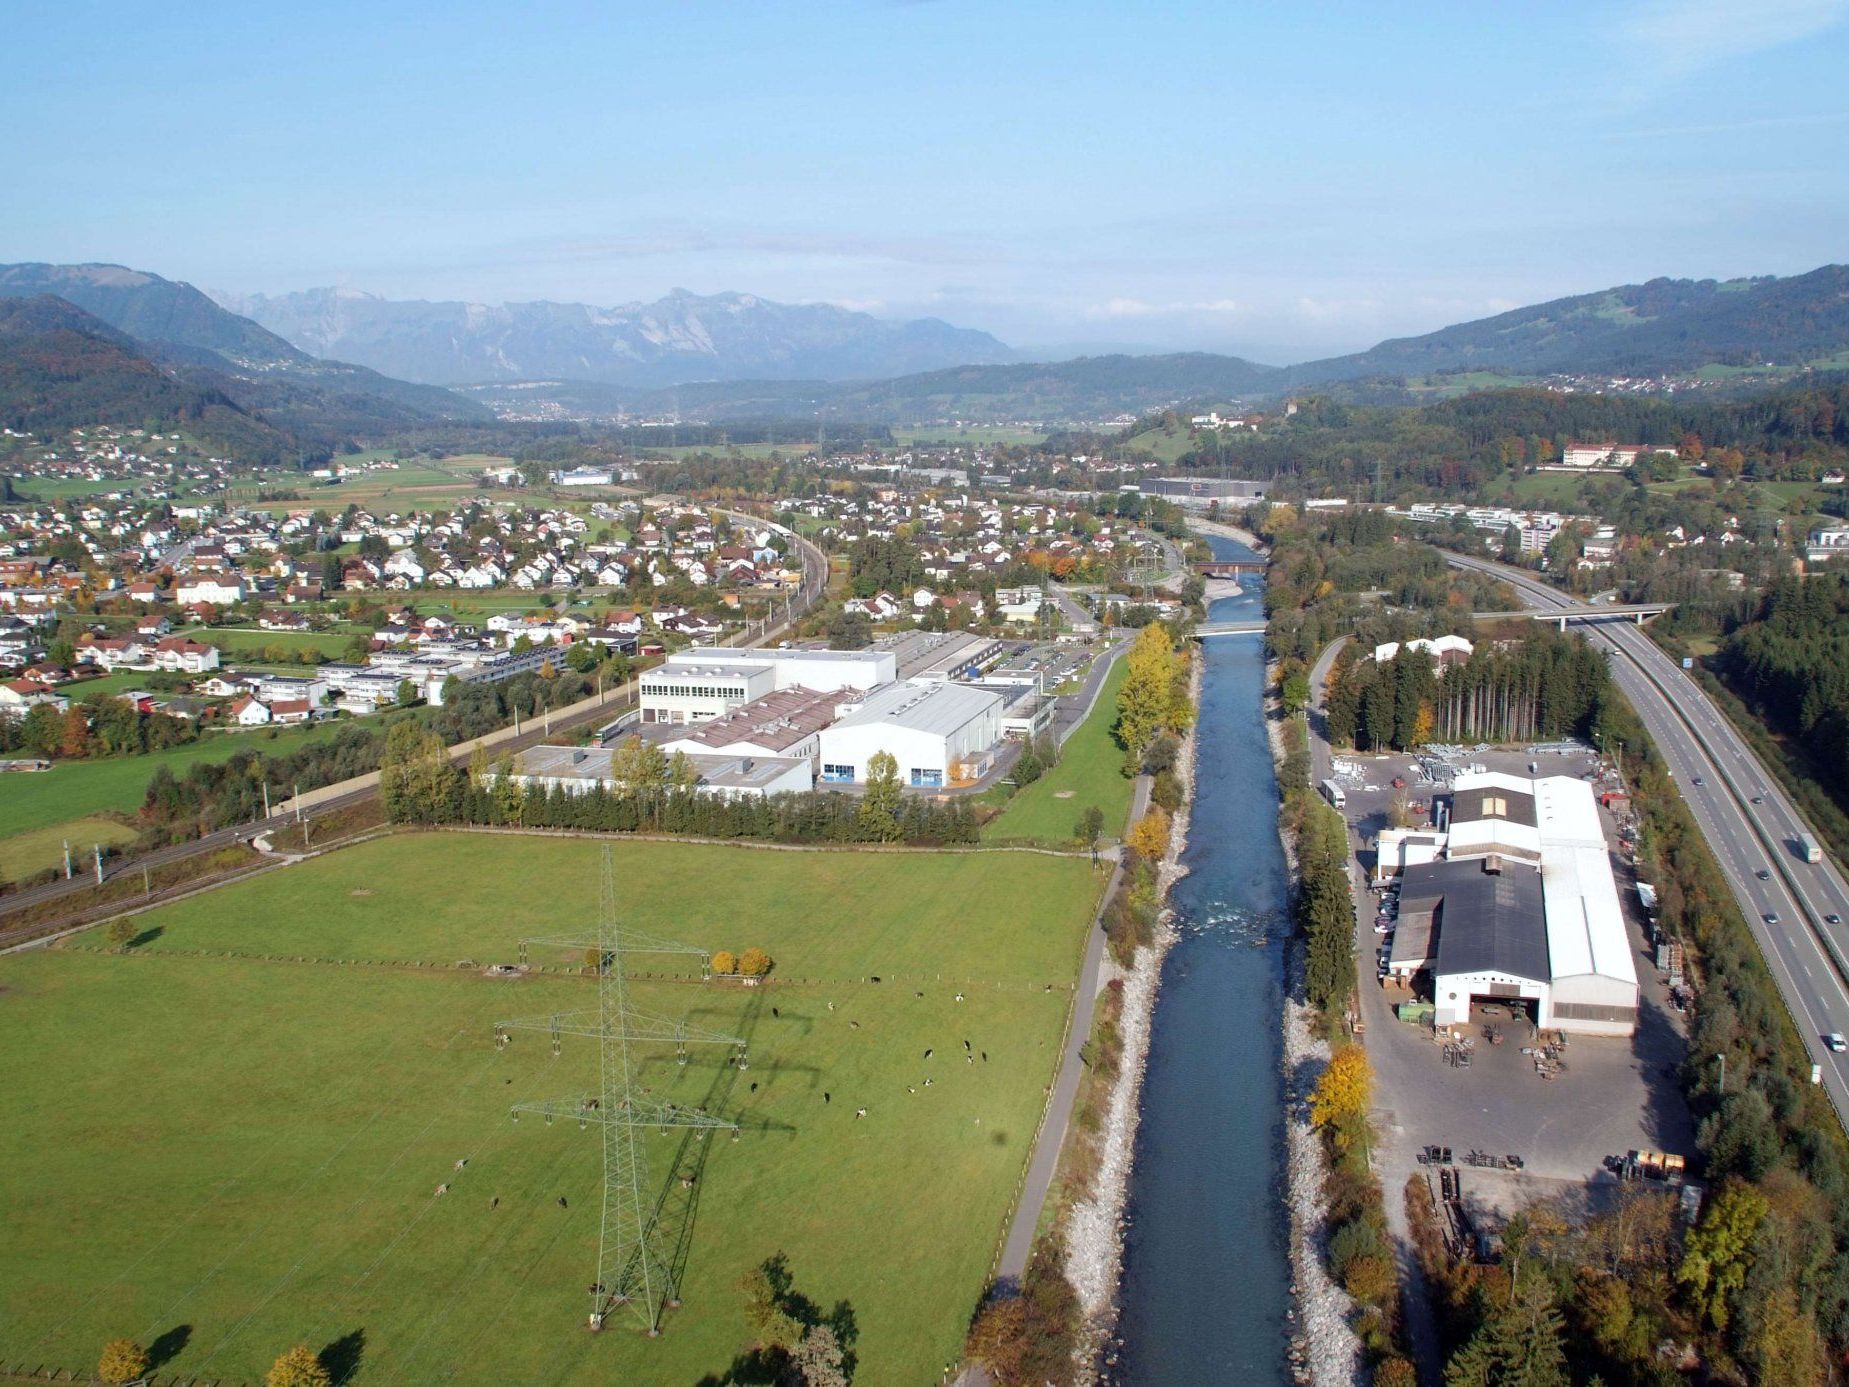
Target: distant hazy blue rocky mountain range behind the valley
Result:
[681, 338]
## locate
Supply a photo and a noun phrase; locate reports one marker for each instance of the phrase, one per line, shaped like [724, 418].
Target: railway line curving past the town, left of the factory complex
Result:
[360, 789]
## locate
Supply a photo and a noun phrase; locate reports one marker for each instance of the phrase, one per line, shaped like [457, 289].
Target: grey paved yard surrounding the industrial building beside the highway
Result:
[1460, 1090]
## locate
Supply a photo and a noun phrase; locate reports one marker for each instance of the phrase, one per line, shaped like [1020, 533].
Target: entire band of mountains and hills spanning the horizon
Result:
[735, 358]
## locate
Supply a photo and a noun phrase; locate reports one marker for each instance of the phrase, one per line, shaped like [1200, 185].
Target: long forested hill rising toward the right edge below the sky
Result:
[1637, 330]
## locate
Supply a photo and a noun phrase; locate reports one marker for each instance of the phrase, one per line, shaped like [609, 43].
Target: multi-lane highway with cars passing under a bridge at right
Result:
[1748, 822]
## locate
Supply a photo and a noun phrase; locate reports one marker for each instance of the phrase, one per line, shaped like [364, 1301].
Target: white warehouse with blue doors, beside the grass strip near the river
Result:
[938, 733]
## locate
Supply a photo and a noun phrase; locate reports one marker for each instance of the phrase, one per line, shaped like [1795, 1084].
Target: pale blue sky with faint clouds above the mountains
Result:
[1275, 180]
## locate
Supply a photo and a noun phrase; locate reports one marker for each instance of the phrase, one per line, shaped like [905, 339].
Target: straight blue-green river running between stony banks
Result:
[1206, 1268]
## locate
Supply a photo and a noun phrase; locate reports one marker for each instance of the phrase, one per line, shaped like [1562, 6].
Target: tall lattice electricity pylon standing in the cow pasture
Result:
[630, 1270]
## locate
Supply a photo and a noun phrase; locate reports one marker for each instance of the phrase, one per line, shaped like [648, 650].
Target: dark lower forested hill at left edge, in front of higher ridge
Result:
[60, 369]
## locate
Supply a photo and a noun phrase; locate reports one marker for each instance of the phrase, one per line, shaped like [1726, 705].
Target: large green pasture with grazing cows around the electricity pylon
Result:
[256, 1155]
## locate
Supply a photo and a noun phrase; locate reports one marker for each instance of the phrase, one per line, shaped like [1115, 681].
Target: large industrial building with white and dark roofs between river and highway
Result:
[1521, 909]
